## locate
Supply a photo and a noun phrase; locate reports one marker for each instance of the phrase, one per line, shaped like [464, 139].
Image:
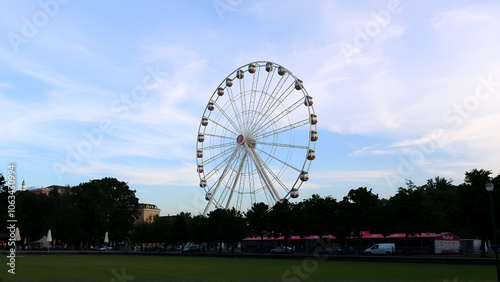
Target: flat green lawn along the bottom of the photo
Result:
[184, 268]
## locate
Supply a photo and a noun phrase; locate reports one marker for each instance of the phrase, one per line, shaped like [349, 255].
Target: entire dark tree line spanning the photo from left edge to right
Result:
[108, 205]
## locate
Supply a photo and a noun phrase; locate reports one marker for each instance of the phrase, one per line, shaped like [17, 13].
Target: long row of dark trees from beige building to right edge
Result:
[436, 206]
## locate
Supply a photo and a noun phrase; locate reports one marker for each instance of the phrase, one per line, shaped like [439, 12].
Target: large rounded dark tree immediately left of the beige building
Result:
[107, 205]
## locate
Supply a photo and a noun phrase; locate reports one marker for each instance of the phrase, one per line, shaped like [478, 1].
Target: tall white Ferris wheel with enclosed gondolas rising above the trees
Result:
[257, 138]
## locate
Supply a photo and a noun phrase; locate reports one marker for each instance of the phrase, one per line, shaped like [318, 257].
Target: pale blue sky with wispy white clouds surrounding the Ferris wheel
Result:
[402, 89]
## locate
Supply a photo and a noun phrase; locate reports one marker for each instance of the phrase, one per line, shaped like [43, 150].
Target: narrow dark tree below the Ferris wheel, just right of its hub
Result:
[258, 224]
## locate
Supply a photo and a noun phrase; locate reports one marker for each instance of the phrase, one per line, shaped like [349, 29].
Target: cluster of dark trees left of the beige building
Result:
[79, 218]
